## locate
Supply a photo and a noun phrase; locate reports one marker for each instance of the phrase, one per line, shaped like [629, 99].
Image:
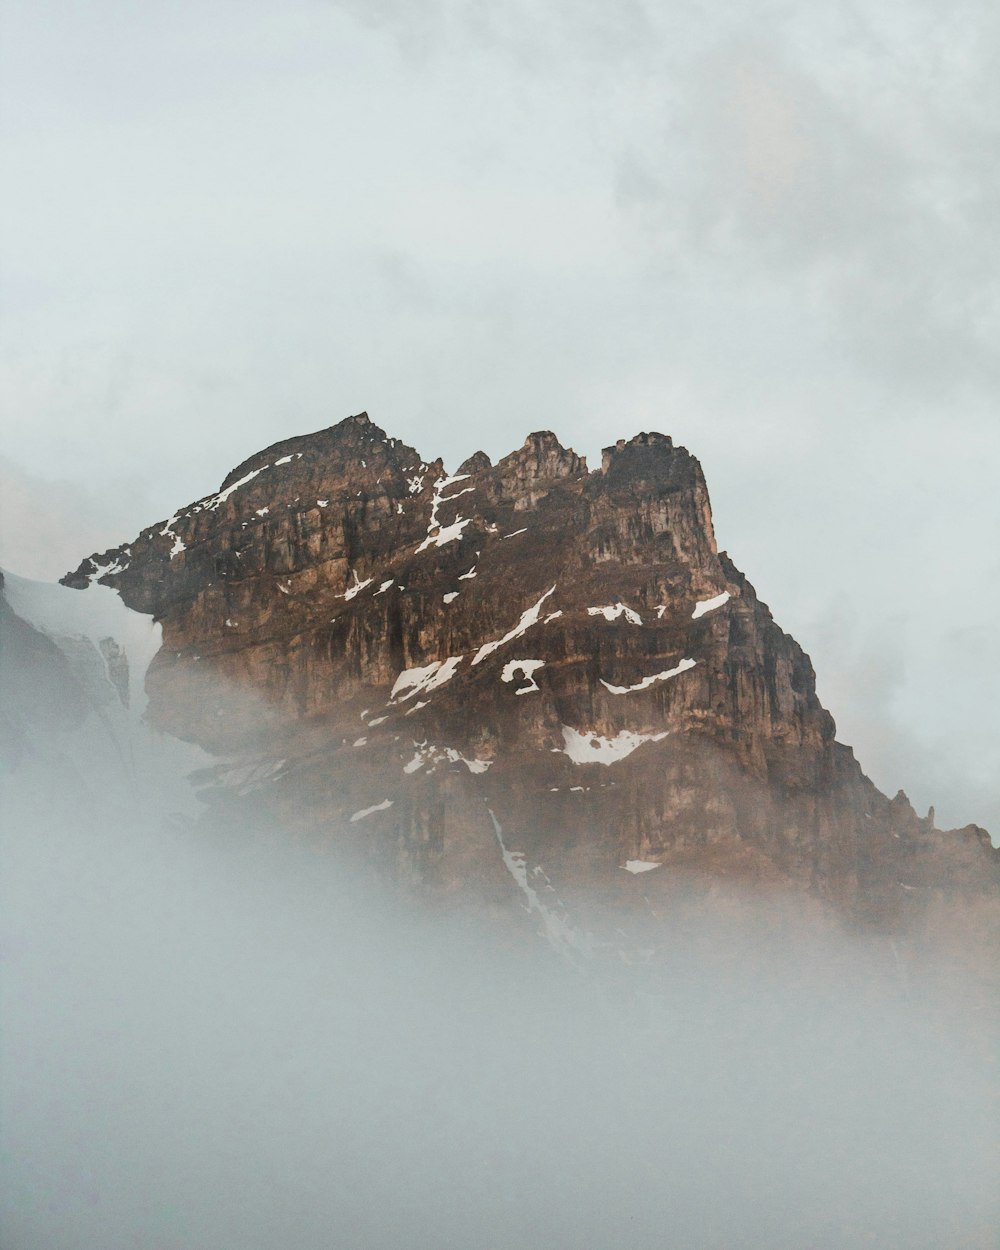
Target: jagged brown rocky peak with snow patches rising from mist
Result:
[524, 674]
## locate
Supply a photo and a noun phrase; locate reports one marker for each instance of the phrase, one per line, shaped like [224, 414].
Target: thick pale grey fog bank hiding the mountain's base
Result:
[223, 1038]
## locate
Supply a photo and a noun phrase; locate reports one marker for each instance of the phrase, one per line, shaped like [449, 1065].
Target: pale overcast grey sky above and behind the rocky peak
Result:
[768, 229]
